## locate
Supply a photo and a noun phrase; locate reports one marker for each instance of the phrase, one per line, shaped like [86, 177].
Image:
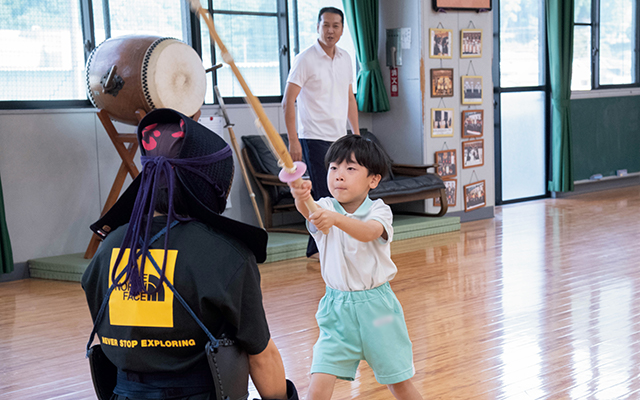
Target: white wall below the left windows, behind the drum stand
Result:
[57, 167]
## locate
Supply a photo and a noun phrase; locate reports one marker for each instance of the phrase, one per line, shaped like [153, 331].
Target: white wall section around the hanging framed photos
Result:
[405, 130]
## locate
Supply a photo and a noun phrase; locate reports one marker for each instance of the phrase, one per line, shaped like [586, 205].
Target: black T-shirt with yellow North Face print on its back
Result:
[214, 273]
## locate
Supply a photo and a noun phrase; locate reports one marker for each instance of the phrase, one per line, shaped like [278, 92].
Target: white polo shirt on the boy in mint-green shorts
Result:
[348, 264]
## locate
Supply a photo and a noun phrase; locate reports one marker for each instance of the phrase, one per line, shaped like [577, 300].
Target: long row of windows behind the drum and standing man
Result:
[44, 44]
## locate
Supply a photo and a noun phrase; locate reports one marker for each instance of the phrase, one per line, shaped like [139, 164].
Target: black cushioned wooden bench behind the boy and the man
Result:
[405, 182]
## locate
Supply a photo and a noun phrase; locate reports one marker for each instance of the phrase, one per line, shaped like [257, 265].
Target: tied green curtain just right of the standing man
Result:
[362, 17]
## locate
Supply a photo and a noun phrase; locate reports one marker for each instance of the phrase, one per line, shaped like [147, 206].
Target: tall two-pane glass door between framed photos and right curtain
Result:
[521, 97]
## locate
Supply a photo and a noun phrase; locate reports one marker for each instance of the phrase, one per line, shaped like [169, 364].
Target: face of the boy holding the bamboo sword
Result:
[349, 183]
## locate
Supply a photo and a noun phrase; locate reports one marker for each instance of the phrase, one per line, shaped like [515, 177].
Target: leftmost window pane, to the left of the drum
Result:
[41, 52]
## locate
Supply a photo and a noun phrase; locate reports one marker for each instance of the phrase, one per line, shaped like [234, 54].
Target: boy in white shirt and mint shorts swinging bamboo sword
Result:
[359, 317]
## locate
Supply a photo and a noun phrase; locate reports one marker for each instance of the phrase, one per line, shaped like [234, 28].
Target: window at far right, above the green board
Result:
[605, 44]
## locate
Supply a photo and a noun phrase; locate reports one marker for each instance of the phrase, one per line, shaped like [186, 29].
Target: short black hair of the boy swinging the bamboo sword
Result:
[360, 150]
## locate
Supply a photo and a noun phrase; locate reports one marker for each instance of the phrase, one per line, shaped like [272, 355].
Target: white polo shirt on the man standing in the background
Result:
[323, 102]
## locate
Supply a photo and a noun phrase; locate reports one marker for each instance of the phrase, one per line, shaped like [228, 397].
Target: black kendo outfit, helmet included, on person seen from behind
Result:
[156, 346]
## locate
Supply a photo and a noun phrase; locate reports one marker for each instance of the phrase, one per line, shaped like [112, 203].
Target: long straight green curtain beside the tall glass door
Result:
[560, 39]
